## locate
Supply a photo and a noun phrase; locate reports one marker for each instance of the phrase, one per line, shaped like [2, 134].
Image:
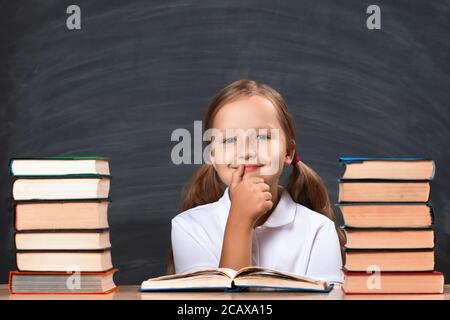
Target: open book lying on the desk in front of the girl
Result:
[231, 280]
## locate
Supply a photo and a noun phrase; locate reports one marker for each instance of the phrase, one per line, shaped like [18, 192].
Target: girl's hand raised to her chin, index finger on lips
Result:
[250, 198]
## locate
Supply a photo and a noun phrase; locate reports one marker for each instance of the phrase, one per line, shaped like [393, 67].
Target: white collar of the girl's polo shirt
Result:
[283, 214]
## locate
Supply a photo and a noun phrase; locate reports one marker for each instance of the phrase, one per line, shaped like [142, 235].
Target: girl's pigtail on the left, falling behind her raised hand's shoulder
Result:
[204, 187]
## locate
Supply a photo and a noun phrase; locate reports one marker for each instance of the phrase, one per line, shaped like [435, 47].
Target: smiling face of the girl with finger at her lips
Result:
[249, 133]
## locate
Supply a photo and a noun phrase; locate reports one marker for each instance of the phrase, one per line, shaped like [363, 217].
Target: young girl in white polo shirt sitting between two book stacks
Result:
[234, 216]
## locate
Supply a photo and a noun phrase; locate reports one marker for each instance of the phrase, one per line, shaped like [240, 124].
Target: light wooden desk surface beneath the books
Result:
[131, 292]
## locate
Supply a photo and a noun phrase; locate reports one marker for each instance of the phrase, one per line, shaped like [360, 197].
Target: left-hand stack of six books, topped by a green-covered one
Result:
[61, 225]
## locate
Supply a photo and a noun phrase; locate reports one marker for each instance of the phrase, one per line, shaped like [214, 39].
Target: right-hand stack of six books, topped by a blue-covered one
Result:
[389, 226]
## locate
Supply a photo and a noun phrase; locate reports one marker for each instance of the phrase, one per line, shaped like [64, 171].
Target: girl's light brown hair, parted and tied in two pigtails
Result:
[304, 185]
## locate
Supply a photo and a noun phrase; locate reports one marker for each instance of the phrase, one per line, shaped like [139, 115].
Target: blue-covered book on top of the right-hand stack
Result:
[387, 169]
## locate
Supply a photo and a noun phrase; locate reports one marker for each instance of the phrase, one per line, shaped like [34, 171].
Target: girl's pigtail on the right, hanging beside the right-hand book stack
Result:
[307, 188]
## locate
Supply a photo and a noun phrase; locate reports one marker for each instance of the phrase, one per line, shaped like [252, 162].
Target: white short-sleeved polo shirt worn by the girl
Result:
[293, 239]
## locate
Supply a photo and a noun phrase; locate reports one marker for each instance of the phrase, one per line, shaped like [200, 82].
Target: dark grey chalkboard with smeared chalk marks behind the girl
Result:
[137, 70]
